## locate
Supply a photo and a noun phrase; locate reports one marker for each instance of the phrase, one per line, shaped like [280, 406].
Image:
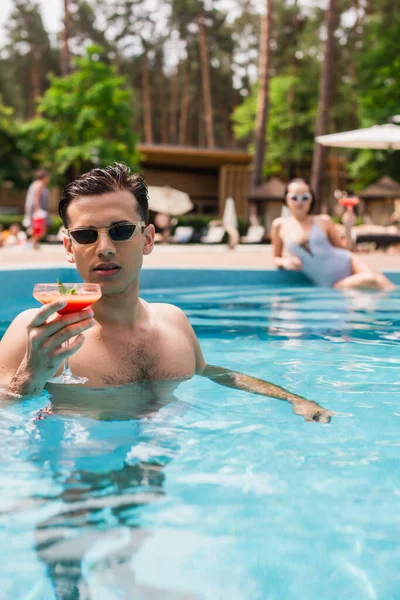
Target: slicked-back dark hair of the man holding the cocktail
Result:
[102, 181]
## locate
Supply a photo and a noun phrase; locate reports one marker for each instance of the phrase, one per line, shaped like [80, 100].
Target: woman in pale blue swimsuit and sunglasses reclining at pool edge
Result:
[315, 247]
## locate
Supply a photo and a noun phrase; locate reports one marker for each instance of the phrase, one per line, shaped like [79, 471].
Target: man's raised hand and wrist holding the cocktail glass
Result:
[45, 351]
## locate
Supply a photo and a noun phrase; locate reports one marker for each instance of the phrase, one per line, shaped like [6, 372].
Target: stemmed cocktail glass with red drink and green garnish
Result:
[78, 297]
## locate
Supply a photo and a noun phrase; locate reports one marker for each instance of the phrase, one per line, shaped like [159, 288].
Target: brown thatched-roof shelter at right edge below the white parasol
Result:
[380, 200]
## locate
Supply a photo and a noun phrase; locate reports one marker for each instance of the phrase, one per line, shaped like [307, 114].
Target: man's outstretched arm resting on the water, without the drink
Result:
[309, 410]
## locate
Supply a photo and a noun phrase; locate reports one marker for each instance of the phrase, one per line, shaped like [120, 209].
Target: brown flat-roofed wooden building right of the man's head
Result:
[209, 176]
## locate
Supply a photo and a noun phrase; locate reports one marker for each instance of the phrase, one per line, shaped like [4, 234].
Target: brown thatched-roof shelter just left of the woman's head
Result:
[268, 198]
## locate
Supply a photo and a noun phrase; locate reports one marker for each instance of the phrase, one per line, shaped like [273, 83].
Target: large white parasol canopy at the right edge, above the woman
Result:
[386, 137]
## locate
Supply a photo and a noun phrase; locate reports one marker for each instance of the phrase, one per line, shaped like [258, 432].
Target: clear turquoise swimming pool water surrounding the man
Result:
[221, 494]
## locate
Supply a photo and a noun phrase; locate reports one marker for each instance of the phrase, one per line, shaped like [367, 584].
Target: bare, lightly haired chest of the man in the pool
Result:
[119, 360]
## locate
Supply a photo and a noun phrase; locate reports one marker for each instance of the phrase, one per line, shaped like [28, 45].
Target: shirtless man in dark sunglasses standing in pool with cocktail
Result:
[105, 214]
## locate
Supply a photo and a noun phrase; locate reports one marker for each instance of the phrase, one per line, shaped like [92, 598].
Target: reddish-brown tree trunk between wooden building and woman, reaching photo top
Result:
[262, 100]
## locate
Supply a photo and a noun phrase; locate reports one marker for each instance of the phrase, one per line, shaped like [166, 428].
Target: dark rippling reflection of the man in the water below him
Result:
[104, 452]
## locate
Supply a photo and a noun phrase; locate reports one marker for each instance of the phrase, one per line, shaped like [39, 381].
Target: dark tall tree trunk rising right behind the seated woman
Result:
[324, 104]
